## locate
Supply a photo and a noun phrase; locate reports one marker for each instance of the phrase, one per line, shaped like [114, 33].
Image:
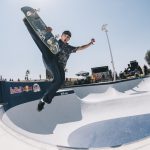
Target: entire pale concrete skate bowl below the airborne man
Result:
[107, 120]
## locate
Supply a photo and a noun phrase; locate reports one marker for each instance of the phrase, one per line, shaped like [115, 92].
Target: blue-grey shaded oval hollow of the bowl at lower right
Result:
[111, 133]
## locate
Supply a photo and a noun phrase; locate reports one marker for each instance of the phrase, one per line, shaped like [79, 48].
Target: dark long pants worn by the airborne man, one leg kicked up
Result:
[51, 64]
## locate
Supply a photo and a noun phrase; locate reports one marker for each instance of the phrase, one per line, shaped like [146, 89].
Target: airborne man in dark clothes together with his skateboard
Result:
[55, 53]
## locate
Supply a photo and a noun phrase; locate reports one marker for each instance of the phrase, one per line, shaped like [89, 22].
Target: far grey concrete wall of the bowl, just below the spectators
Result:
[120, 85]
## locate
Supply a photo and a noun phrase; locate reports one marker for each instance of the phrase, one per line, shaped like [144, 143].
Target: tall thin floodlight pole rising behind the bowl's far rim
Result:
[112, 61]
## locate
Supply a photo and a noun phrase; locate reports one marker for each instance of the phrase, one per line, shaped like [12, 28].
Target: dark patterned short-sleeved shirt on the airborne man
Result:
[65, 51]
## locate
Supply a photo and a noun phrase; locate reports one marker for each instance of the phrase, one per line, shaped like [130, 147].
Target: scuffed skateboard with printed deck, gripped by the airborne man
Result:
[40, 29]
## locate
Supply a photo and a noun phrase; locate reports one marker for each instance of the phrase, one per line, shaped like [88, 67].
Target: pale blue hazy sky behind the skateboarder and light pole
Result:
[128, 30]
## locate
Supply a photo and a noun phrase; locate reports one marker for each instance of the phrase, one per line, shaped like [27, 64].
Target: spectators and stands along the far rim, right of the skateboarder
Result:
[133, 70]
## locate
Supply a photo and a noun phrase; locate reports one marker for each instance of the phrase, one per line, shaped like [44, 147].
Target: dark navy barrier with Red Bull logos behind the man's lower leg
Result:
[15, 93]
